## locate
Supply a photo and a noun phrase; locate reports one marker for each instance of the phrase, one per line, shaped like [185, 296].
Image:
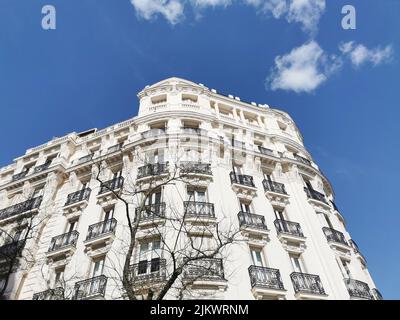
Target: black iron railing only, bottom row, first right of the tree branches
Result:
[265, 278]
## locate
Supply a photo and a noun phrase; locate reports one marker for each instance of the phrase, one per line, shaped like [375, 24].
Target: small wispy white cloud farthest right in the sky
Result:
[359, 54]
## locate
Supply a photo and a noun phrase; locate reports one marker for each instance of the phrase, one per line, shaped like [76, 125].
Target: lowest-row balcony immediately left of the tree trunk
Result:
[91, 289]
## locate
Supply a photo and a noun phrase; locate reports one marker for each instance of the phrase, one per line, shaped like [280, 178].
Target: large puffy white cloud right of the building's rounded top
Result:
[304, 69]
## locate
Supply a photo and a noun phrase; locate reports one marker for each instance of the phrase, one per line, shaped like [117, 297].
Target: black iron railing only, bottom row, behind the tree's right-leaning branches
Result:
[204, 269]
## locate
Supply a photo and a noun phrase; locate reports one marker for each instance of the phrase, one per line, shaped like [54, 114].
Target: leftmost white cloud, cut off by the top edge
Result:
[172, 10]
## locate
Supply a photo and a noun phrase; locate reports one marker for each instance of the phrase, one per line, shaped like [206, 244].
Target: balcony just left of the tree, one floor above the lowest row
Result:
[101, 233]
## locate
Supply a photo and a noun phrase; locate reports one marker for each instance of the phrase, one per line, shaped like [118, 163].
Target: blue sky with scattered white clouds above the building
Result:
[86, 74]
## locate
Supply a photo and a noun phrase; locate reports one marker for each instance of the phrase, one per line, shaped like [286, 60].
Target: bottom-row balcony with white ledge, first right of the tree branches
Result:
[266, 282]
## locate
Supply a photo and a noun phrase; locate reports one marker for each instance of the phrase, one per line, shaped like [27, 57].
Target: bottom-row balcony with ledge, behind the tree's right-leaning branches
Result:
[207, 273]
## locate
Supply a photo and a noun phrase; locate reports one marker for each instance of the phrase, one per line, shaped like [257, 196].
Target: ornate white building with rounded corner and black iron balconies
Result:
[247, 170]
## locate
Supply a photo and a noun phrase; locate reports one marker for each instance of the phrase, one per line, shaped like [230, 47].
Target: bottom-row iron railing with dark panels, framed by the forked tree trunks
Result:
[153, 270]
